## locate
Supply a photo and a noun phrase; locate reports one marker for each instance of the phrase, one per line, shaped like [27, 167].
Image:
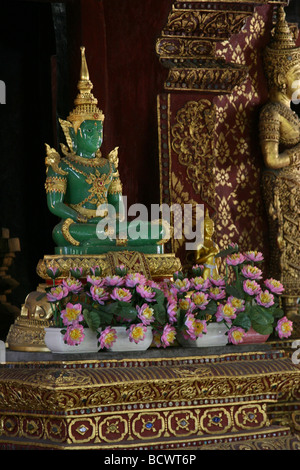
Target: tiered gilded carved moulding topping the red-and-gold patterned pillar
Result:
[187, 46]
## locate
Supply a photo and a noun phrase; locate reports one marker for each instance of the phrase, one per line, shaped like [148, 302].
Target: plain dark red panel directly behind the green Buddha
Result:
[120, 37]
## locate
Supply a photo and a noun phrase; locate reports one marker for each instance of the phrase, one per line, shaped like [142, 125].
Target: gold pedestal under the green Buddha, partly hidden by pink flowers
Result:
[27, 333]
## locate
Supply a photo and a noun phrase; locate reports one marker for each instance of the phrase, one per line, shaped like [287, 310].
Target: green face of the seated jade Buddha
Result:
[89, 137]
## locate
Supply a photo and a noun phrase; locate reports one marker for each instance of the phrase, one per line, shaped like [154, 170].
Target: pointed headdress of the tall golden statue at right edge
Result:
[282, 53]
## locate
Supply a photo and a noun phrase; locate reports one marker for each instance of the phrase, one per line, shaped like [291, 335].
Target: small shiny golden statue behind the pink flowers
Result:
[206, 252]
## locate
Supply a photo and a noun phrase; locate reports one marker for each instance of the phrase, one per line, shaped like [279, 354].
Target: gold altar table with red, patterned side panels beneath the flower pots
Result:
[174, 399]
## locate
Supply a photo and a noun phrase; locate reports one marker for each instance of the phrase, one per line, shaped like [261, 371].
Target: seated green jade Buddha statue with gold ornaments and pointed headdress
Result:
[82, 184]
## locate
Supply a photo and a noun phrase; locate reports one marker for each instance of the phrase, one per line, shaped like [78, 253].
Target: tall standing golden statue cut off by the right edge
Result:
[280, 144]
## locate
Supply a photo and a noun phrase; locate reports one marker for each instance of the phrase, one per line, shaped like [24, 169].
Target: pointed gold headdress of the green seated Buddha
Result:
[85, 102]
